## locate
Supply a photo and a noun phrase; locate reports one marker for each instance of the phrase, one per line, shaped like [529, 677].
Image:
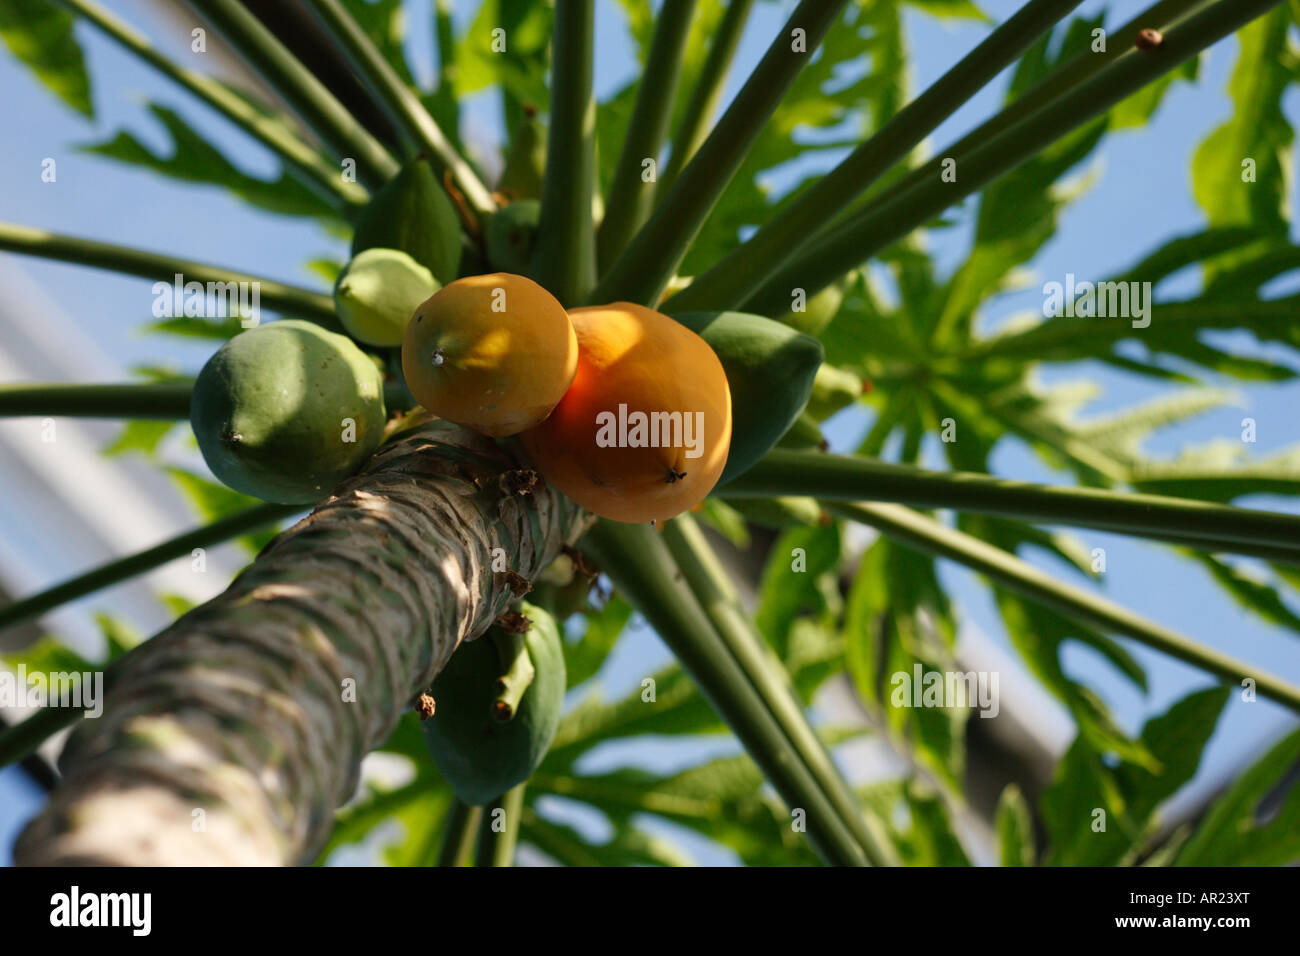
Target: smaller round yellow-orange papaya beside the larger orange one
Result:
[497, 373]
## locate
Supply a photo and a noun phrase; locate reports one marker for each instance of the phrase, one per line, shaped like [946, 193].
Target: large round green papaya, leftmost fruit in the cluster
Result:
[288, 410]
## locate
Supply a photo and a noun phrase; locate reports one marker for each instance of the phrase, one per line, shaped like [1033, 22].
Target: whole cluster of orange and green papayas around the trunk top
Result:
[635, 416]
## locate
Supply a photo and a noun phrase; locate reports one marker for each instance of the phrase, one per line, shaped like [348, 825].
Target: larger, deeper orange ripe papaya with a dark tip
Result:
[642, 360]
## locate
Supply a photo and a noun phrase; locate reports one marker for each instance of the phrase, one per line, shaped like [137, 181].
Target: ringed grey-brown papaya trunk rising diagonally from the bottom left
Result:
[235, 734]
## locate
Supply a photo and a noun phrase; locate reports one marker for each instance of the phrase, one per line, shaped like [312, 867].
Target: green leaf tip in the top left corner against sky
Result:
[44, 38]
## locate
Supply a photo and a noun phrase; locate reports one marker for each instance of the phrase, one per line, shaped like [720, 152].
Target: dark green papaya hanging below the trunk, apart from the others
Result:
[480, 756]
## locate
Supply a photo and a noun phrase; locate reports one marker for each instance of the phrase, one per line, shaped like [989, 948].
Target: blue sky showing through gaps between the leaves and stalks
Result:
[1141, 197]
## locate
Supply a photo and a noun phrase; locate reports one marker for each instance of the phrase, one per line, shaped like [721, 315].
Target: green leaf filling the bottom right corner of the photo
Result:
[1258, 821]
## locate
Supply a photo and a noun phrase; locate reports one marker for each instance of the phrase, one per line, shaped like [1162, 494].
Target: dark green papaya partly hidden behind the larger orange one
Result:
[770, 370]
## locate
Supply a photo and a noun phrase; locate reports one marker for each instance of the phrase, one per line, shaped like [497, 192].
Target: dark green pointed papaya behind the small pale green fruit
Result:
[414, 214]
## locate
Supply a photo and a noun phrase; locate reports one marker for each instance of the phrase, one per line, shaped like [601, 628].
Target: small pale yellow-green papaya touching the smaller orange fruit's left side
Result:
[379, 291]
